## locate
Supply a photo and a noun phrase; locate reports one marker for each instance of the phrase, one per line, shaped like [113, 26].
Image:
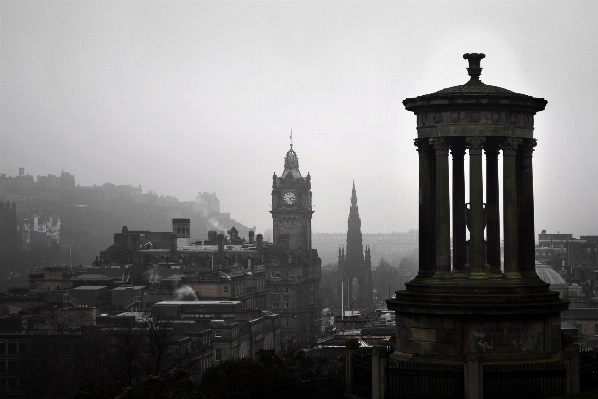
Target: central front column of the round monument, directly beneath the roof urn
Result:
[477, 258]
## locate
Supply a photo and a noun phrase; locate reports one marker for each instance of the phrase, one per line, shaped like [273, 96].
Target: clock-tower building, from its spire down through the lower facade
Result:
[292, 266]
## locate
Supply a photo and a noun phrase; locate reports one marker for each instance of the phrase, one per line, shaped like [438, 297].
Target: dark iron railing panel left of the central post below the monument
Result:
[424, 380]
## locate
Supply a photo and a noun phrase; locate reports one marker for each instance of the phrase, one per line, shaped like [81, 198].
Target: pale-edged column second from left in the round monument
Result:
[443, 210]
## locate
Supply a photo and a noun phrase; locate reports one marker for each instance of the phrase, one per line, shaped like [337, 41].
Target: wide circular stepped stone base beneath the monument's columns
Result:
[494, 336]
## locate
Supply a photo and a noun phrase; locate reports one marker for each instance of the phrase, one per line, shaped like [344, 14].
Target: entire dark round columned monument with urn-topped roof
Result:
[465, 307]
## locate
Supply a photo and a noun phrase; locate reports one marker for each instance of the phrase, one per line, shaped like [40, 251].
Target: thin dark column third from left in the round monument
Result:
[459, 228]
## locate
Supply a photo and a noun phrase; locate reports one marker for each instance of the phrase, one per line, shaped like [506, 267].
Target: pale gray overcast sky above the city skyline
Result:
[181, 97]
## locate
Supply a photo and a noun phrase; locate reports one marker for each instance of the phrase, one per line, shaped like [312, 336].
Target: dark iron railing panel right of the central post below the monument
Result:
[526, 381]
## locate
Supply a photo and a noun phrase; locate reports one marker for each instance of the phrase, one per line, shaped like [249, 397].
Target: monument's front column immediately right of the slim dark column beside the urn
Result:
[509, 149]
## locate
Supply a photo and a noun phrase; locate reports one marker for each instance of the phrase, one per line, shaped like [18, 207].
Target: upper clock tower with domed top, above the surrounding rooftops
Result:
[291, 205]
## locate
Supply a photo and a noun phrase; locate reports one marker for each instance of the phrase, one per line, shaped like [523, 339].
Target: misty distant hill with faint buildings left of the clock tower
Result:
[91, 215]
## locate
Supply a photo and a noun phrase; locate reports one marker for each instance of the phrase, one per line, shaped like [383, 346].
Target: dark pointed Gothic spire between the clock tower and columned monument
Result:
[354, 268]
